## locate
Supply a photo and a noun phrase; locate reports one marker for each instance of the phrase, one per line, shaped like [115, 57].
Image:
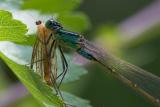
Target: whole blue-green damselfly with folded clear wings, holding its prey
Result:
[140, 80]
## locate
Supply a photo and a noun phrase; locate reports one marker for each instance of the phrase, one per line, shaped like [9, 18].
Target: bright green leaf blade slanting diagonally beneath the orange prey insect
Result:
[34, 84]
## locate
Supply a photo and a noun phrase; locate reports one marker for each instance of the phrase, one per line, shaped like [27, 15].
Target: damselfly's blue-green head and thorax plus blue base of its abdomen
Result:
[68, 39]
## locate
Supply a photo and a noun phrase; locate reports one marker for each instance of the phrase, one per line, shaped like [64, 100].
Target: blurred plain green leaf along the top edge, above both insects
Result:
[51, 6]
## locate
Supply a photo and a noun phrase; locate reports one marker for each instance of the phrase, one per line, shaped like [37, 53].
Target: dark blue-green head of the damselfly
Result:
[53, 25]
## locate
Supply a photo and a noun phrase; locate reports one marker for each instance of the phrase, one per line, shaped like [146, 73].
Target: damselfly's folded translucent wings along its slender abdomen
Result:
[139, 79]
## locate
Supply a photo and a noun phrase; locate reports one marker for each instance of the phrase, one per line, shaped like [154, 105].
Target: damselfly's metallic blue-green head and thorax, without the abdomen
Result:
[64, 37]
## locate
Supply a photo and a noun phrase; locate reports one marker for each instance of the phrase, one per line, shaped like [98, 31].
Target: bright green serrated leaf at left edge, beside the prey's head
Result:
[11, 29]
